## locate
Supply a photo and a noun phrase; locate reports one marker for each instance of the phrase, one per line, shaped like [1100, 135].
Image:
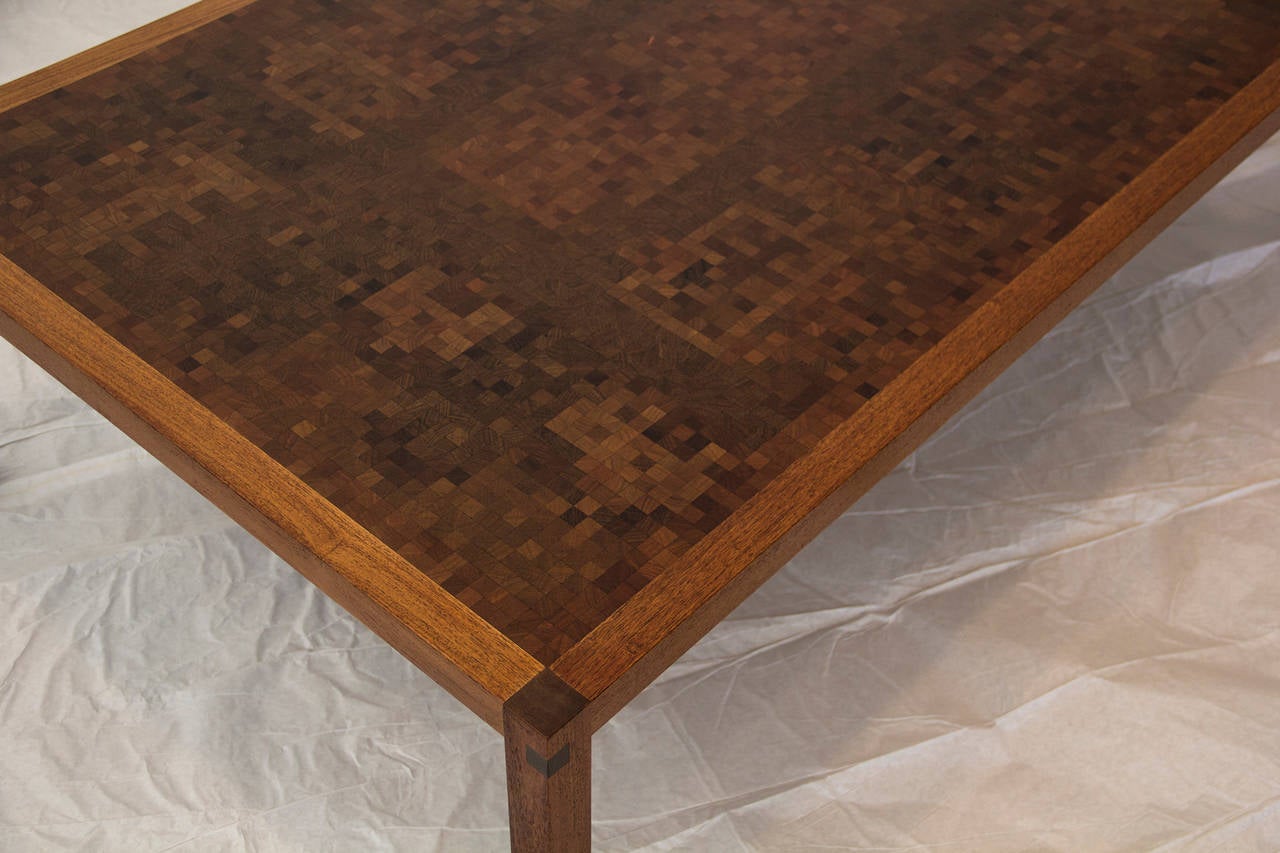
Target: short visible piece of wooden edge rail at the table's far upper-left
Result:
[109, 53]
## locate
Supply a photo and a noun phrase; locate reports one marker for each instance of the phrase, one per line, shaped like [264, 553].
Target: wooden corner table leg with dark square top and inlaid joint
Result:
[548, 769]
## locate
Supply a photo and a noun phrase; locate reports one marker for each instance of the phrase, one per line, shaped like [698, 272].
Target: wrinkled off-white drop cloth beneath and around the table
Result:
[1054, 628]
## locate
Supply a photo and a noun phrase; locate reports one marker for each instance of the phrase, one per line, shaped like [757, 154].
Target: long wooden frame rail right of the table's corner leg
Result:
[651, 631]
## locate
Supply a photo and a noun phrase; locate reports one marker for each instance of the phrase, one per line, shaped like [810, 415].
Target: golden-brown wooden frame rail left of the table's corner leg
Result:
[446, 640]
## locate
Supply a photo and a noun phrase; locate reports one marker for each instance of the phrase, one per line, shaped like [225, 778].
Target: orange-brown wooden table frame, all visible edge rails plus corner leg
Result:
[547, 715]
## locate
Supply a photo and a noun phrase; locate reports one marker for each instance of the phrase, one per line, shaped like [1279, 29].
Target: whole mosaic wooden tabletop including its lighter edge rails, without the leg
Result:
[541, 334]
